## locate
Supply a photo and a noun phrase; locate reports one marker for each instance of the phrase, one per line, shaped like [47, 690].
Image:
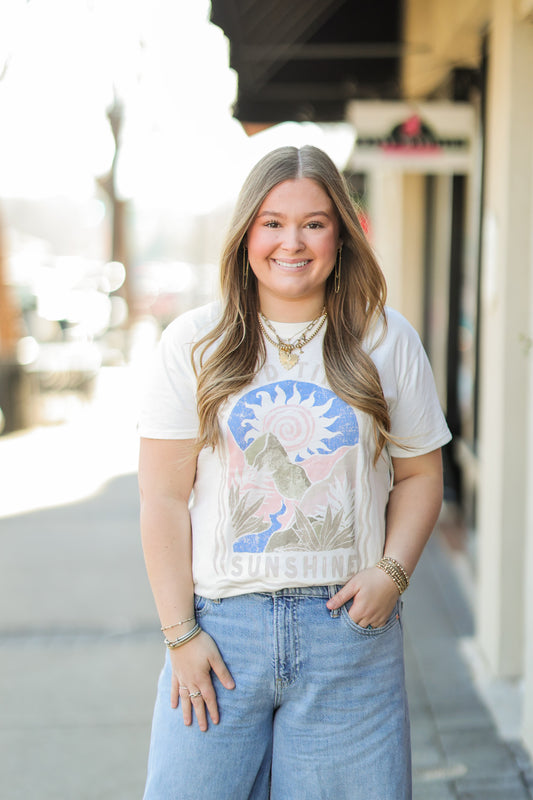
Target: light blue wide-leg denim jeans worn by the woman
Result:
[319, 710]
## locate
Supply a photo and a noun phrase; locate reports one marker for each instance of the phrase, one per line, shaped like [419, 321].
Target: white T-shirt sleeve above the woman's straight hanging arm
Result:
[168, 407]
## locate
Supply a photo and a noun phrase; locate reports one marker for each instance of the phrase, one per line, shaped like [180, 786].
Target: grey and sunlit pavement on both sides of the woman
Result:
[80, 646]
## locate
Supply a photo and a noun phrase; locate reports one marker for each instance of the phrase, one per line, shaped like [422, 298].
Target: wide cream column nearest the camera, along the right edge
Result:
[505, 402]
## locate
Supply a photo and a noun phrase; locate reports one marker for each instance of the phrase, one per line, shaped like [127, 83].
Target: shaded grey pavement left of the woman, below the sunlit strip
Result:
[80, 651]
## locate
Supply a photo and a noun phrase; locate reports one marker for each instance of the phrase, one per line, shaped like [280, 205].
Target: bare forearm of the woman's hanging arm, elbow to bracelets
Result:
[166, 540]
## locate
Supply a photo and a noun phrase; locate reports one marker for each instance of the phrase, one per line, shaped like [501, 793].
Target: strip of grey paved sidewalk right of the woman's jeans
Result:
[458, 752]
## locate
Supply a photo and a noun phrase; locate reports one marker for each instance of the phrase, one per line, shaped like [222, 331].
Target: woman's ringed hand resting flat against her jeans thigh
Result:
[191, 673]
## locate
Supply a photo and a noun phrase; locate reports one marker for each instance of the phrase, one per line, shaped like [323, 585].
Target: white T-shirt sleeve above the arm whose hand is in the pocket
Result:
[417, 420]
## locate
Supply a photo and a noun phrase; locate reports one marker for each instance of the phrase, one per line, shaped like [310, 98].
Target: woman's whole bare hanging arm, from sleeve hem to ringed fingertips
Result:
[167, 470]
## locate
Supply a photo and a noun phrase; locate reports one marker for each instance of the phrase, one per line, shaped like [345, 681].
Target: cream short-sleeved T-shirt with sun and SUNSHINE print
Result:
[291, 497]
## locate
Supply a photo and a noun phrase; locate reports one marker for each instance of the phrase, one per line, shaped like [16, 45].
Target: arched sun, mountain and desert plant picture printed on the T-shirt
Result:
[292, 476]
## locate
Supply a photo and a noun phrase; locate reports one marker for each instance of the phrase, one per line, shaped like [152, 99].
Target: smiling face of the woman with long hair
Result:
[292, 247]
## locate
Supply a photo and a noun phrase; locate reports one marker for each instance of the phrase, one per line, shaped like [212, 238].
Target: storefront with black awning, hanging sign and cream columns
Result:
[444, 149]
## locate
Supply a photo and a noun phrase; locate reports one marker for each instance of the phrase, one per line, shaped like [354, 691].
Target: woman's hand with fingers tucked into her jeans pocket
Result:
[374, 596]
